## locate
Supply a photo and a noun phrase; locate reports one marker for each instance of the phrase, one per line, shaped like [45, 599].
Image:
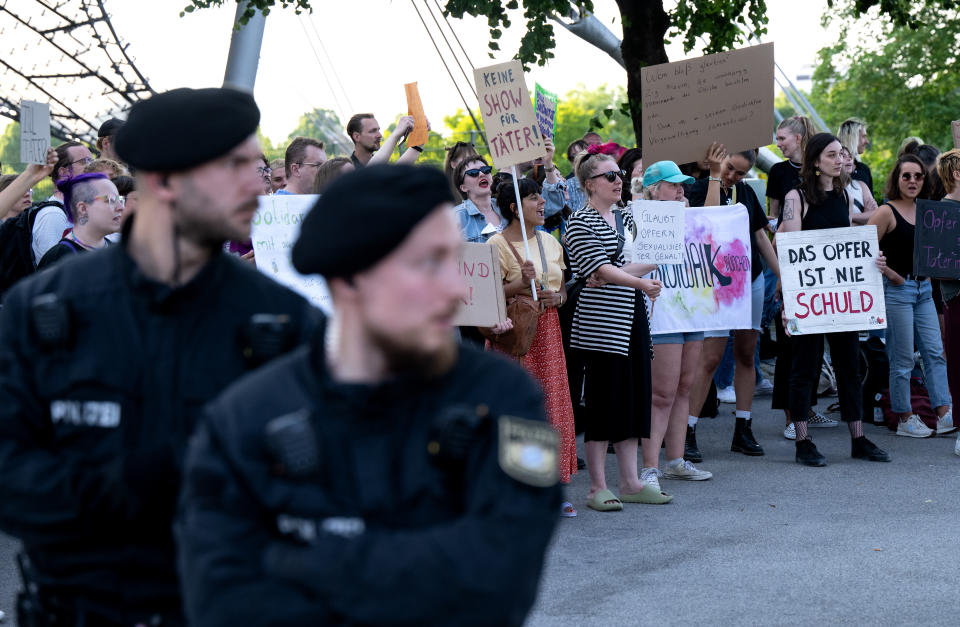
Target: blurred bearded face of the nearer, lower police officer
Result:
[407, 302]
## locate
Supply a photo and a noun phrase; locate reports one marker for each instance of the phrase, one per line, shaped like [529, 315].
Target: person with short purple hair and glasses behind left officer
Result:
[95, 208]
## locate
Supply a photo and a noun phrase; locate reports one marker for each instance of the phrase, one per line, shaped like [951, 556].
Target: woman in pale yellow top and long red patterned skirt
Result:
[545, 359]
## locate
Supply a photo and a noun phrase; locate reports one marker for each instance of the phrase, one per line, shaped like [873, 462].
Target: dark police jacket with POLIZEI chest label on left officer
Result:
[103, 374]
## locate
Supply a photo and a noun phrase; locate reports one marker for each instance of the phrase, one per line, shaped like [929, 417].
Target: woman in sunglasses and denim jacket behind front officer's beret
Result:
[478, 214]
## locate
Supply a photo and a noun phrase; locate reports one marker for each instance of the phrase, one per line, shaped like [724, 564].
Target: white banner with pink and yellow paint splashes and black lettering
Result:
[710, 290]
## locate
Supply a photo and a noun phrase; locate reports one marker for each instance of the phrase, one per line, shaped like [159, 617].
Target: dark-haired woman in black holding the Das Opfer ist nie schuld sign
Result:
[820, 203]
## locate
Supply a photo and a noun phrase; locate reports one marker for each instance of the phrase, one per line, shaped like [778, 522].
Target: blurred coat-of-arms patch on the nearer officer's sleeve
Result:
[528, 451]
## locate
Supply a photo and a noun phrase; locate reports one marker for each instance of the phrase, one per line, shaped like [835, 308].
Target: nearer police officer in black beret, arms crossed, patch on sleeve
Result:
[381, 475]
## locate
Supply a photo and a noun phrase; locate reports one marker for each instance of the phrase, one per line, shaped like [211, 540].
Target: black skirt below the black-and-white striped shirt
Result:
[617, 390]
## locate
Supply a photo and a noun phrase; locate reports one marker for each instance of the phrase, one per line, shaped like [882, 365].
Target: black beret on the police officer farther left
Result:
[183, 128]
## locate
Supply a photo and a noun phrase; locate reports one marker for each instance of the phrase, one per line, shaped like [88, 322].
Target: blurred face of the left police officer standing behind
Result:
[216, 201]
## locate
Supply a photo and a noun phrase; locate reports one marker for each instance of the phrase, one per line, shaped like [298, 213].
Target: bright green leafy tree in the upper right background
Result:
[895, 67]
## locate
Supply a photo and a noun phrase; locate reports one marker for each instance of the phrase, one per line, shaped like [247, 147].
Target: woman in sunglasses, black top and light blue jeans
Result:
[910, 310]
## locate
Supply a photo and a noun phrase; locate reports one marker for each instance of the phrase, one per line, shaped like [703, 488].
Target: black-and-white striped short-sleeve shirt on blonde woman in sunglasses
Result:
[604, 315]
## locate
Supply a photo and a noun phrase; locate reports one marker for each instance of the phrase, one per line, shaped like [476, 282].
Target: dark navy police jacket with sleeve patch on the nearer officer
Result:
[412, 502]
